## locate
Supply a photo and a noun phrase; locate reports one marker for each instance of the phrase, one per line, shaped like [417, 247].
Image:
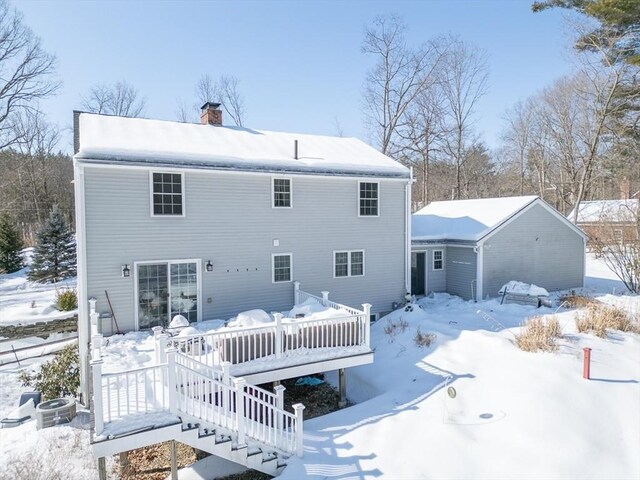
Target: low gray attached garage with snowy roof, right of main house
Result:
[471, 248]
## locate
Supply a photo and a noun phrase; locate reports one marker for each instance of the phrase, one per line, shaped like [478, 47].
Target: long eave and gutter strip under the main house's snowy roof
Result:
[146, 164]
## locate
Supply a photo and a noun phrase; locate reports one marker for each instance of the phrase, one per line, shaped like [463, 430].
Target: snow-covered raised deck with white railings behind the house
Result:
[150, 381]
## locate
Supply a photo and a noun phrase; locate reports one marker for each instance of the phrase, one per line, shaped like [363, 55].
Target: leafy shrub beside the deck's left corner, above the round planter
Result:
[58, 377]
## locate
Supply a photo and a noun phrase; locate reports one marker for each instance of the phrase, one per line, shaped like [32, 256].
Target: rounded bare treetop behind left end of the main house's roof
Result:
[119, 99]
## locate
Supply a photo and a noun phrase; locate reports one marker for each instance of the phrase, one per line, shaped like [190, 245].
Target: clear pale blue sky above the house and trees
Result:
[299, 62]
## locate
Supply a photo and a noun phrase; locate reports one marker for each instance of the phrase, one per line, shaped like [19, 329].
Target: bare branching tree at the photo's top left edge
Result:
[26, 72]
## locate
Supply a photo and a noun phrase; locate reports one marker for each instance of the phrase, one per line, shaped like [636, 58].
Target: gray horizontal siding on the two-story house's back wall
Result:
[229, 220]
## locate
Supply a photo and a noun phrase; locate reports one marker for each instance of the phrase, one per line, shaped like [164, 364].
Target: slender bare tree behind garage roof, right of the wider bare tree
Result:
[464, 83]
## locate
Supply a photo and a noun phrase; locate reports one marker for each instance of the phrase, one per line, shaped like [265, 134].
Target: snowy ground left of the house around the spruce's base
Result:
[23, 302]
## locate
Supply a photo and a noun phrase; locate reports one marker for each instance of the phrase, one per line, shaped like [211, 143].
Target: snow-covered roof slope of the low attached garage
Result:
[464, 220]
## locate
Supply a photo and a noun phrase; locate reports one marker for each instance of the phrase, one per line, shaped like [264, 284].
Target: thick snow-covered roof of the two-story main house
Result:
[112, 139]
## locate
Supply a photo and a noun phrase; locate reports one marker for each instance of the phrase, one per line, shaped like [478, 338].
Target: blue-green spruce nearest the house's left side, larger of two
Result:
[54, 257]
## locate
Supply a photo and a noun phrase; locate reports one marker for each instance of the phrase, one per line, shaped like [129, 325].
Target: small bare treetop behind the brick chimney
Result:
[225, 91]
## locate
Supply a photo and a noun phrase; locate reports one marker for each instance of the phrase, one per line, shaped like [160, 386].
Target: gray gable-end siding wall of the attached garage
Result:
[536, 247]
